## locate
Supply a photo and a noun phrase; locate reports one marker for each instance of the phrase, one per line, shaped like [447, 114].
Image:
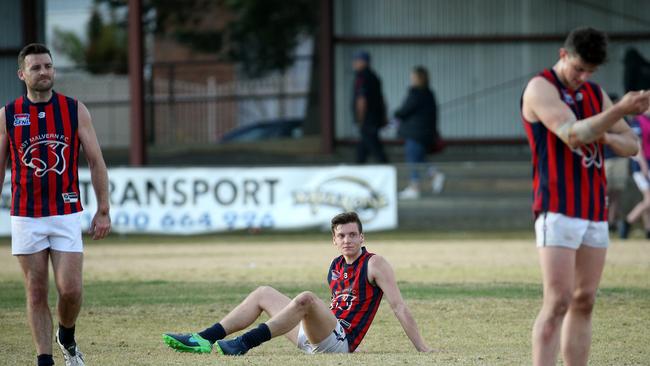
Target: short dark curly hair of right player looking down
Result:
[588, 43]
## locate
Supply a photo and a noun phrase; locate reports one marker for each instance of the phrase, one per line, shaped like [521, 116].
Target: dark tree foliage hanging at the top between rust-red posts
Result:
[261, 35]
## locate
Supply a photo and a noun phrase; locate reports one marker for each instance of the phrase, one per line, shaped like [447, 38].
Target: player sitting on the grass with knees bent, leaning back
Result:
[357, 279]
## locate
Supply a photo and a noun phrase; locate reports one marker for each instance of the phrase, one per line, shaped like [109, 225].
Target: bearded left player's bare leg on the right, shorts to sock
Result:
[68, 277]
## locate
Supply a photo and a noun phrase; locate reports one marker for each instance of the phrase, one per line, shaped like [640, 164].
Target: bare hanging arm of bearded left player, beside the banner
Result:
[101, 223]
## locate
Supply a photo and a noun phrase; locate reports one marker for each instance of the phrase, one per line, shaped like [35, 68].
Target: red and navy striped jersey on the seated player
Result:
[354, 300]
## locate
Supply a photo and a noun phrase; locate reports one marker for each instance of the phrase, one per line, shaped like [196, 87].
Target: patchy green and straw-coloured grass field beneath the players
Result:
[474, 299]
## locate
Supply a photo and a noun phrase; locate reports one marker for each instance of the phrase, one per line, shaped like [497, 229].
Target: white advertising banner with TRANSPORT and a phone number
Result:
[202, 200]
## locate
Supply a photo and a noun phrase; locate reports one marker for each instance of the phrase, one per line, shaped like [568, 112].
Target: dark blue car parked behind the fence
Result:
[265, 130]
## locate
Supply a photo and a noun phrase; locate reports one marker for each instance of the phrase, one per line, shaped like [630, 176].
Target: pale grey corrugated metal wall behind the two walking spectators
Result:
[478, 85]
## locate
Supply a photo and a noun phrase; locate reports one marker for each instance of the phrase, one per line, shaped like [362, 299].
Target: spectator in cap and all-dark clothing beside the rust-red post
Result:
[368, 108]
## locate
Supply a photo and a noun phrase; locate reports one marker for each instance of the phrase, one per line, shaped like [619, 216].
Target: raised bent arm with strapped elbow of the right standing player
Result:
[541, 103]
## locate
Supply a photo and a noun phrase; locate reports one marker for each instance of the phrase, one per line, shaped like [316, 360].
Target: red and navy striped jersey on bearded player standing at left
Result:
[44, 150]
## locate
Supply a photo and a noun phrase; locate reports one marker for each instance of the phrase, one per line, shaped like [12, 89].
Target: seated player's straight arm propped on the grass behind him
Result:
[381, 274]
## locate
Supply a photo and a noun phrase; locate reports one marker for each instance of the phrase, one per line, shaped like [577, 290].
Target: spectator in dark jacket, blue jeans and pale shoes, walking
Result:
[418, 127]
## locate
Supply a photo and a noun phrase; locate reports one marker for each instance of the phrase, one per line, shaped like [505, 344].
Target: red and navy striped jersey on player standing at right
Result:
[568, 181]
